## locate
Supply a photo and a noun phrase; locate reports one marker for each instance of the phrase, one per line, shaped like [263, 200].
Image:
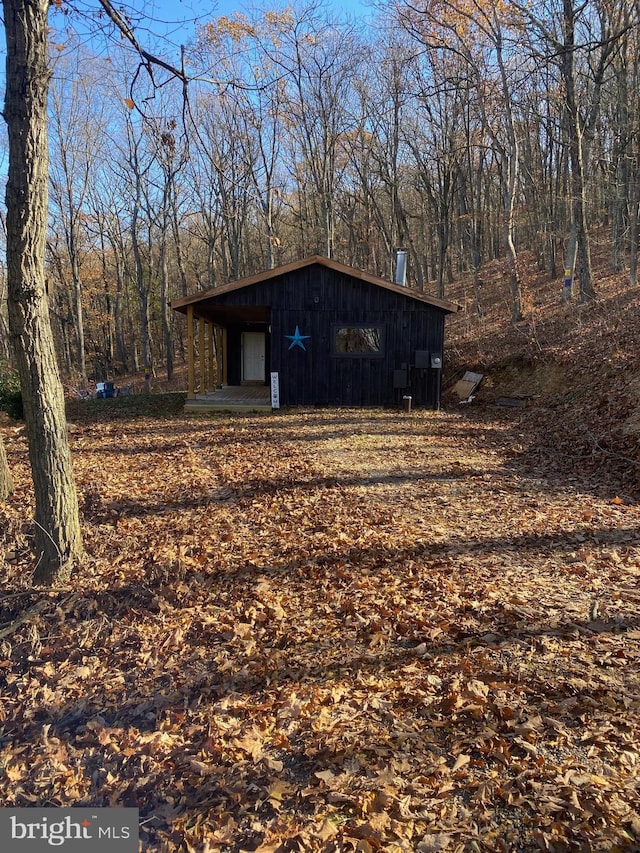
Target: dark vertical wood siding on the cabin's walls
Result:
[316, 299]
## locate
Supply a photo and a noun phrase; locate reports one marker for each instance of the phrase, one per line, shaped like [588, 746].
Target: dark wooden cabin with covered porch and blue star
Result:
[316, 332]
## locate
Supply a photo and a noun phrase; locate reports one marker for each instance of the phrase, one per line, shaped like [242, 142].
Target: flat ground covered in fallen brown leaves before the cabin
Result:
[330, 630]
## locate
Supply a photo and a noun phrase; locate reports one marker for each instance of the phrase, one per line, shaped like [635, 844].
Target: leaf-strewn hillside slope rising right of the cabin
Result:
[572, 370]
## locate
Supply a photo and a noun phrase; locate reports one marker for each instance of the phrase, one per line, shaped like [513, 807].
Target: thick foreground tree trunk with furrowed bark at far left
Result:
[57, 536]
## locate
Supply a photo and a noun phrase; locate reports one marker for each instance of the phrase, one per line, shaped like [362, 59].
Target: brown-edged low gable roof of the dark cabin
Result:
[182, 303]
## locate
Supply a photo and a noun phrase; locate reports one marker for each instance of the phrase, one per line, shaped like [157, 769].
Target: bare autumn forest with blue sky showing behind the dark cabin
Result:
[461, 131]
